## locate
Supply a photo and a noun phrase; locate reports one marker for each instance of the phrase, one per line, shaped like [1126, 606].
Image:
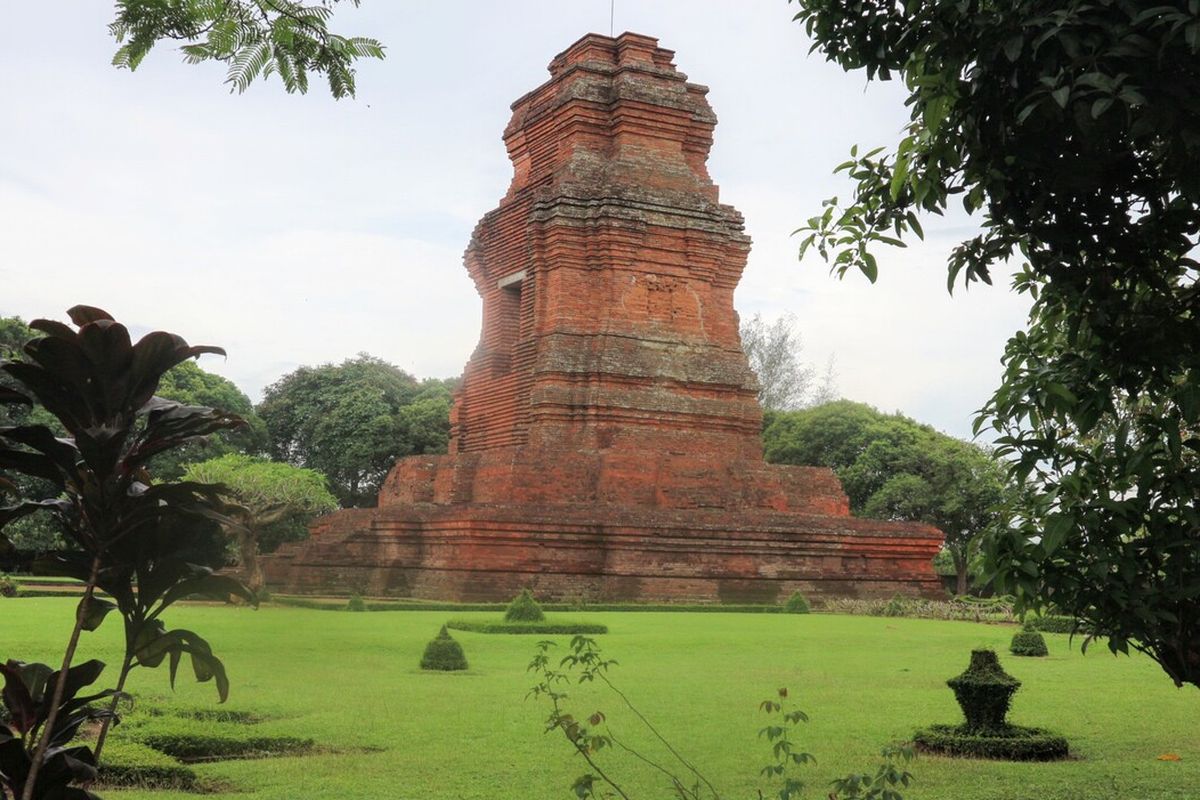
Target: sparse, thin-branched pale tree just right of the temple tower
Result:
[785, 382]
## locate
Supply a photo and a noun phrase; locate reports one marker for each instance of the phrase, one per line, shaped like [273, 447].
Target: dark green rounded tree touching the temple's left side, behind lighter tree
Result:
[352, 422]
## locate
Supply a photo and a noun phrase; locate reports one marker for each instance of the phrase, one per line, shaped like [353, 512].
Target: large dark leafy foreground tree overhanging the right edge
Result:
[1073, 131]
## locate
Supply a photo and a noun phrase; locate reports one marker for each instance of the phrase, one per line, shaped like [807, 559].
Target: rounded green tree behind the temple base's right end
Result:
[895, 468]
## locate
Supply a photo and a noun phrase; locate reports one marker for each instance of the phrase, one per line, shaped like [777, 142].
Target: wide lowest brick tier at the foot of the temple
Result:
[489, 554]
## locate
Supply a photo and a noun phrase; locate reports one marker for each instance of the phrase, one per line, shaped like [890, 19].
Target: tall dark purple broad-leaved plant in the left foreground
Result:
[140, 543]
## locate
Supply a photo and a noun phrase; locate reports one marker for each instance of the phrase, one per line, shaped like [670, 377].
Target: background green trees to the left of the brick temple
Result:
[323, 437]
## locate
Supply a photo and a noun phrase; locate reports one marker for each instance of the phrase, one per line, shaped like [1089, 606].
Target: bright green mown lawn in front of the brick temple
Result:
[386, 730]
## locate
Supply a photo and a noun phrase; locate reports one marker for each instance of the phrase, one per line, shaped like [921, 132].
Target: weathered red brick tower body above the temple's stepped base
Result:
[608, 272]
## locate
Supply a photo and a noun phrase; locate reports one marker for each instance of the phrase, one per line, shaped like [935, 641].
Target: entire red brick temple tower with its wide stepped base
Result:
[605, 442]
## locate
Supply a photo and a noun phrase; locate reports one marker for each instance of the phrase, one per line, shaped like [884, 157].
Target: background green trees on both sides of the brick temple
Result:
[326, 437]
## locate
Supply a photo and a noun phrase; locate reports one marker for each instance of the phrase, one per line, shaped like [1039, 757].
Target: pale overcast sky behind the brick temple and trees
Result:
[296, 230]
